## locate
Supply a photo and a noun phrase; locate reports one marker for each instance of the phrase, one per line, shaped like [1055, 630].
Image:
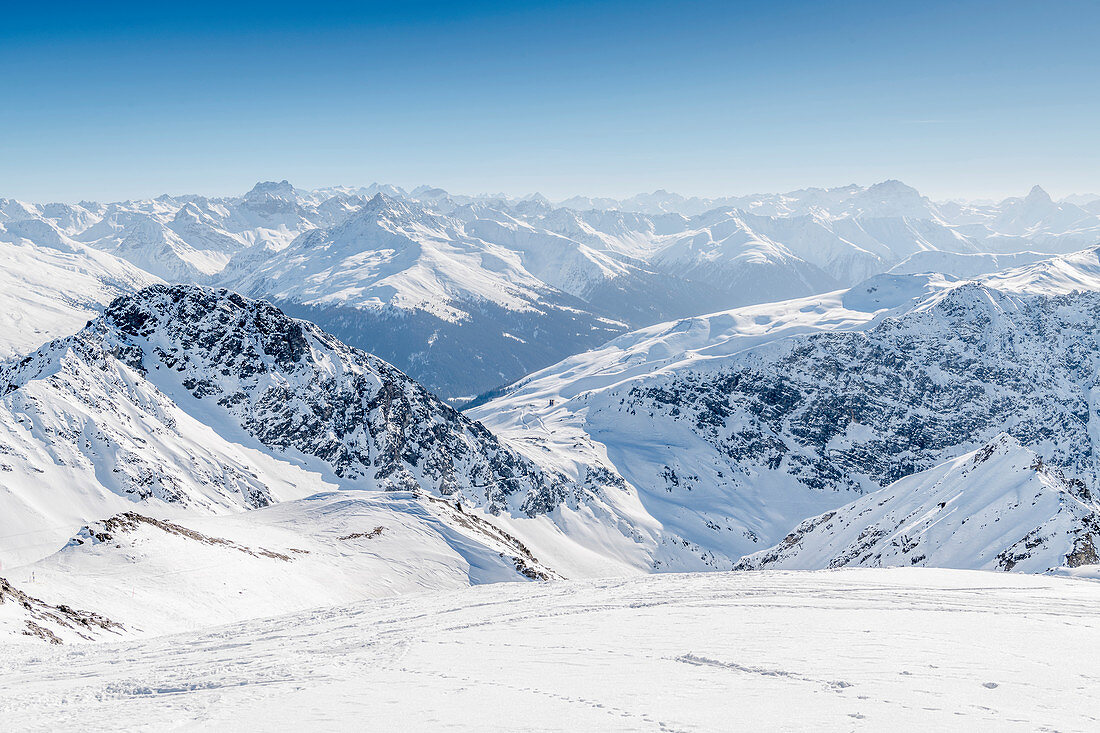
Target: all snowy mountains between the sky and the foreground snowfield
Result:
[261, 392]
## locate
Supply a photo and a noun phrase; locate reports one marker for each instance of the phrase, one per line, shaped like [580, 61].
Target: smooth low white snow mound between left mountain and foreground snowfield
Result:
[138, 570]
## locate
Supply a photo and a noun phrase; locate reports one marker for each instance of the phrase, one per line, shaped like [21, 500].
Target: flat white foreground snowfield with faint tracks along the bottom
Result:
[839, 651]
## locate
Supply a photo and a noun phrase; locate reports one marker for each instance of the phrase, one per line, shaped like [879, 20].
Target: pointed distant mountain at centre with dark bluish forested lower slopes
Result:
[421, 290]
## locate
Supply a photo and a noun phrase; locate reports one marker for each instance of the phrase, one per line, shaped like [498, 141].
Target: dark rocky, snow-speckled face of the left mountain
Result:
[294, 387]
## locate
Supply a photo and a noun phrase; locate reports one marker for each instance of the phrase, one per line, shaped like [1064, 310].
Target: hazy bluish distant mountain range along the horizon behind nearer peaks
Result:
[468, 294]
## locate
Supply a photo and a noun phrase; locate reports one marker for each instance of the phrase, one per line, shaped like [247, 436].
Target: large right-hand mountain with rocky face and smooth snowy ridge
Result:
[731, 426]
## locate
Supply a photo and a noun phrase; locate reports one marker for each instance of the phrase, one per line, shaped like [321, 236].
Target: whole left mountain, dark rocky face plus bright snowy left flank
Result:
[192, 399]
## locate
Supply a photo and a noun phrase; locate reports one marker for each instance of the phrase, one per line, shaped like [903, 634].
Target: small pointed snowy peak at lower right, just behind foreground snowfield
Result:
[995, 509]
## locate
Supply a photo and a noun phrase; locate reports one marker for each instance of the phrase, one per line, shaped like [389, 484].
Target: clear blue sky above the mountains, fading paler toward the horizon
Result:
[974, 100]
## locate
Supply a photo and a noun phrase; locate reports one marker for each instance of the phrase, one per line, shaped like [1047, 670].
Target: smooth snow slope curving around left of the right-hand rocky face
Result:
[685, 504]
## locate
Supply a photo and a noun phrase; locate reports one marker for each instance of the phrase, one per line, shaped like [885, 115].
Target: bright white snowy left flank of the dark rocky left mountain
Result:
[81, 444]
